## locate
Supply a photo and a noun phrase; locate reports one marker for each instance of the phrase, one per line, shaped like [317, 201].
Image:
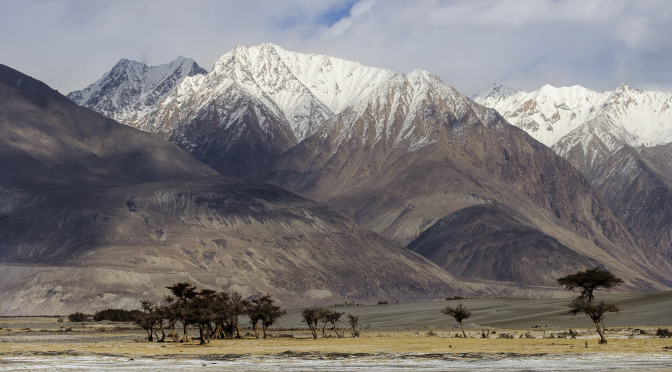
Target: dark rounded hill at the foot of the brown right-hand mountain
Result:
[484, 241]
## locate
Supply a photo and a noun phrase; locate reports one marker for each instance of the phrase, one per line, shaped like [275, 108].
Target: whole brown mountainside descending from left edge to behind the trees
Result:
[95, 214]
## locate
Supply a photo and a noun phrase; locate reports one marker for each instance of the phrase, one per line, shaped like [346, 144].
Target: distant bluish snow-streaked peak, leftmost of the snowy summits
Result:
[132, 89]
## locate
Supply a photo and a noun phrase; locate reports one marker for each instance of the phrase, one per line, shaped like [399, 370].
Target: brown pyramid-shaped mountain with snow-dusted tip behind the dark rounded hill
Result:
[417, 151]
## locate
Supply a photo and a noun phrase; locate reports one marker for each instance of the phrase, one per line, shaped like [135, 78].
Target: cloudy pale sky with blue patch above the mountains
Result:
[467, 43]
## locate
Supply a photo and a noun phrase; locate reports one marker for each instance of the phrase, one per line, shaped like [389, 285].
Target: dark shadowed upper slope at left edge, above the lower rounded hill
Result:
[45, 138]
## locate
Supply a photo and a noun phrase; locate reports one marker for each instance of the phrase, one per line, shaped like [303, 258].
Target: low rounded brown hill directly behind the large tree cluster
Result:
[88, 250]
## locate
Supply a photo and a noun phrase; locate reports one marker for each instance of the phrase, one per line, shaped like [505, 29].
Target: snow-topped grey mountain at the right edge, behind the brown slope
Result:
[613, 138]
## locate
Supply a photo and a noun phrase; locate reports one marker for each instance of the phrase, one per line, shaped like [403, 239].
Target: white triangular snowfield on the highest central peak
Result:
[306, 89]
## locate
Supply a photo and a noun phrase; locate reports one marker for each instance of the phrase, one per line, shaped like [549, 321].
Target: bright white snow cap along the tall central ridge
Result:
[306, 90]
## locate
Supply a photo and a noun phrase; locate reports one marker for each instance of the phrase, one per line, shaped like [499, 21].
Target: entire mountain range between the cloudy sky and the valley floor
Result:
[385, 185]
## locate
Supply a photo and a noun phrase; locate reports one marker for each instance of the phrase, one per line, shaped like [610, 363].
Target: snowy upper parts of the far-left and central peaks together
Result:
[299, 92]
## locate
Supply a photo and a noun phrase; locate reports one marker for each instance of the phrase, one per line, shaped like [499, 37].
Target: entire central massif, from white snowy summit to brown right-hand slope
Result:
[397, 153]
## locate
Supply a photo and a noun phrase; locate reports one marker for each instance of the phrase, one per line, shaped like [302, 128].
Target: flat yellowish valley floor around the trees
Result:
[46, 344]
